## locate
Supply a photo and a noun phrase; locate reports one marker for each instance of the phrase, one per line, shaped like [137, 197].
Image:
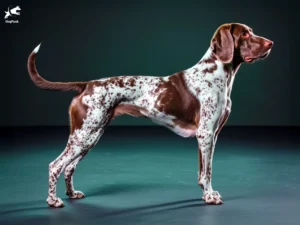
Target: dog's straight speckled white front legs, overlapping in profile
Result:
[211, 110]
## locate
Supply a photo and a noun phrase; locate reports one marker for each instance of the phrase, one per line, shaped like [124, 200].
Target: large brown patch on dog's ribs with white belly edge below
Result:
[175, 107]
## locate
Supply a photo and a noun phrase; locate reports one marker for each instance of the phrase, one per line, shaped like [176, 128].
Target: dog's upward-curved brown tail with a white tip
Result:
[44, 84]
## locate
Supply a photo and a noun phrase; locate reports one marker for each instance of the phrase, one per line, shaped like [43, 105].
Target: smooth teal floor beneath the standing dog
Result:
[148, 175]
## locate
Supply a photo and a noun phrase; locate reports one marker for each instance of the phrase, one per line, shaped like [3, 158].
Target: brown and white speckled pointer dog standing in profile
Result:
[192, 103]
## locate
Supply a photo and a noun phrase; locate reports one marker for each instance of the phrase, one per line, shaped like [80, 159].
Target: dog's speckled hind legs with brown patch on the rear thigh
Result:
[87, 125]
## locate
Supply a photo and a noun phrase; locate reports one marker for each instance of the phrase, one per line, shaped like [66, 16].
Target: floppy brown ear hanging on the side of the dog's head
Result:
[222, 44]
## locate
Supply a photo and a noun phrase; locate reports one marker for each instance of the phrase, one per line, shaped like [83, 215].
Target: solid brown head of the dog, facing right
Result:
[238, 40]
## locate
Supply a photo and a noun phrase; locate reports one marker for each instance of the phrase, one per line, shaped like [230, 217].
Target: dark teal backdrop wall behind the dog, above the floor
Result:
[85, 40]
